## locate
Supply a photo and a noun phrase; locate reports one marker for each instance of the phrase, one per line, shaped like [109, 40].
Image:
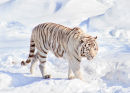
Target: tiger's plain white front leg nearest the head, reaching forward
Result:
[75, 65]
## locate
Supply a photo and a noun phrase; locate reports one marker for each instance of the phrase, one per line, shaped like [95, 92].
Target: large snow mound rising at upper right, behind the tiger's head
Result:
[114, 22]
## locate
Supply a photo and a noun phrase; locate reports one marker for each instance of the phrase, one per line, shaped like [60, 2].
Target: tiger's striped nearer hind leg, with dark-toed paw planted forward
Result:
[42, 67]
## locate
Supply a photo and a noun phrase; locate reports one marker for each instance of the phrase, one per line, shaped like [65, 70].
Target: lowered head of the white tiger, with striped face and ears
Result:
[89, 47]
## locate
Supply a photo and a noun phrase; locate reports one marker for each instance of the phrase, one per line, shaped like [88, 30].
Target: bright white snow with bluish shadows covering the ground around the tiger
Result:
[109, 72]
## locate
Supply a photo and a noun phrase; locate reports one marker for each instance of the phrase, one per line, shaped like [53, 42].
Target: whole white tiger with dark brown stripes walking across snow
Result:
[70, 44]
